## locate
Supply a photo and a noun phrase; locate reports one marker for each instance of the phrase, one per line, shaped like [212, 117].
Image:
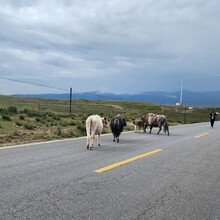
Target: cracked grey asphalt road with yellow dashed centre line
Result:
[151, 177]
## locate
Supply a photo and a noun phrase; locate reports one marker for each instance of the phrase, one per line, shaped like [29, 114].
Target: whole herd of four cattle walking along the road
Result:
[95, 124]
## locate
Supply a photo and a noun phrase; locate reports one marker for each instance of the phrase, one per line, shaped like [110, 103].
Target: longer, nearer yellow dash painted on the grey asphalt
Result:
[103, 169]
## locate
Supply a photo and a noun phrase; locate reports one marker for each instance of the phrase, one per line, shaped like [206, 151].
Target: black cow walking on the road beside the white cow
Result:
[117, 124]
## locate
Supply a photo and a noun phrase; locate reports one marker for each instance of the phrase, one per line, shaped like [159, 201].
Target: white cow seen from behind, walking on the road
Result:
[94, 126]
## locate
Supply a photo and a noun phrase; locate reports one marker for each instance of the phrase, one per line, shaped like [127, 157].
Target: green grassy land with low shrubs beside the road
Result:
[25, 120]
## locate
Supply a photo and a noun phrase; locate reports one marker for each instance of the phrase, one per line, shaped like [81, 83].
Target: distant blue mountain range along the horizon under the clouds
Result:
[205, 99]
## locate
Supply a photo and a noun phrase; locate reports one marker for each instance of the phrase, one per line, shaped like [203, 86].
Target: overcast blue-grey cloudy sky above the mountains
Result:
[119, 46]
